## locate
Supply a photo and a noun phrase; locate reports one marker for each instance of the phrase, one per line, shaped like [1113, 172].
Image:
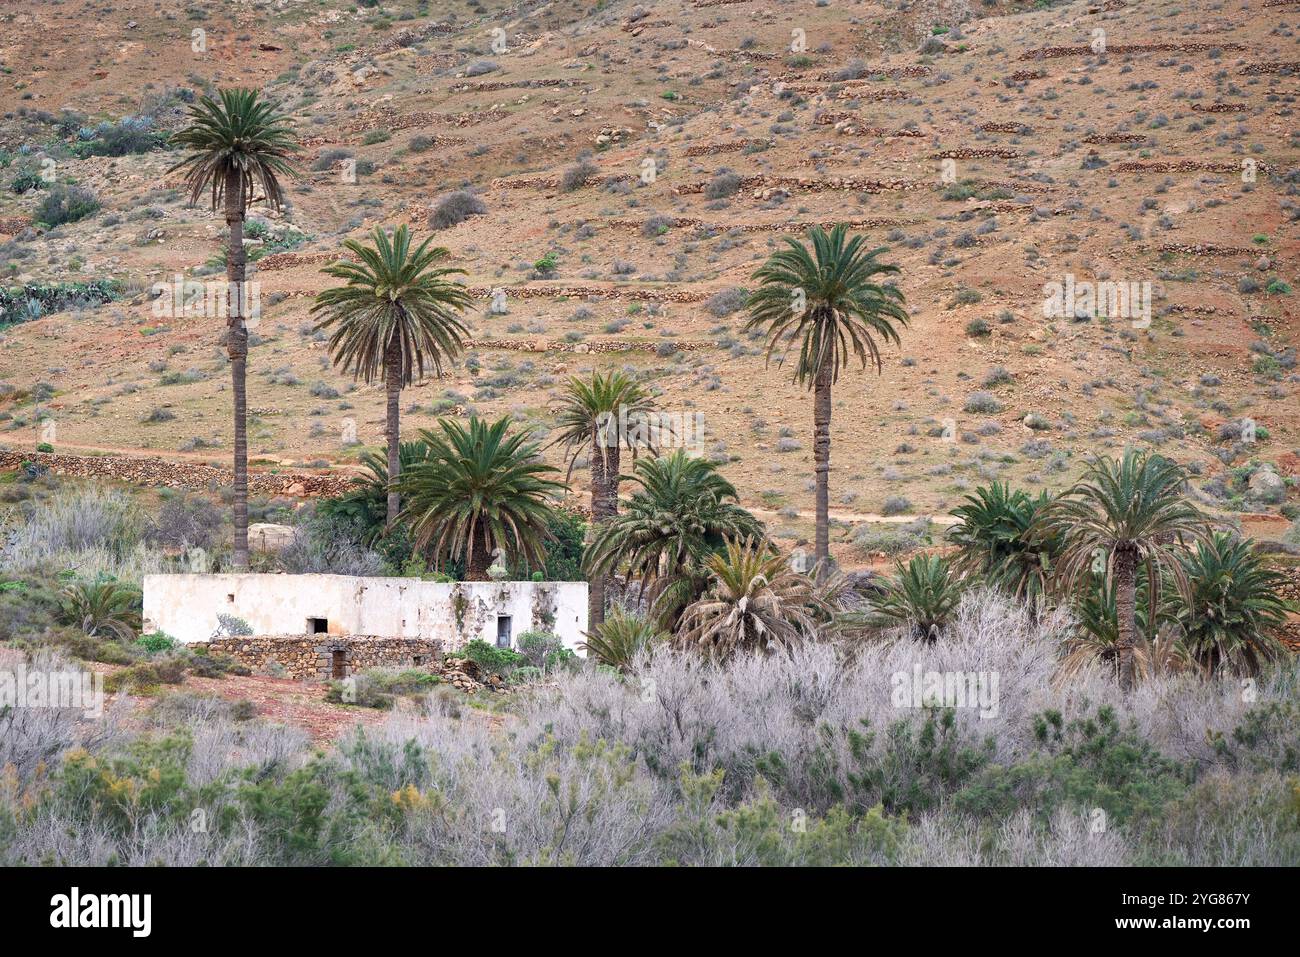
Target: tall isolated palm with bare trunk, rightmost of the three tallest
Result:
[830, 304]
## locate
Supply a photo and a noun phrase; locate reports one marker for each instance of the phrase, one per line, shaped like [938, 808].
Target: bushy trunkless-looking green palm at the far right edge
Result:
[1234, 607]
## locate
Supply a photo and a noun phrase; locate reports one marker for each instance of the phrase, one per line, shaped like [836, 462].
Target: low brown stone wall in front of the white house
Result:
[311, 657]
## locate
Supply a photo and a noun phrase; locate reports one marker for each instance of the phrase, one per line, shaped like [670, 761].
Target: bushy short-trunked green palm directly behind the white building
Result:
[479, 491]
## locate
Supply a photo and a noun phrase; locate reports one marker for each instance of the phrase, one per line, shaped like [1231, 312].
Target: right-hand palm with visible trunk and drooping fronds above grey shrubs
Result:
[1120, 516]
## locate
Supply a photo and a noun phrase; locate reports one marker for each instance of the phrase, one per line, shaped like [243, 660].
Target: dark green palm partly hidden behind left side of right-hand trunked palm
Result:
[994, 542]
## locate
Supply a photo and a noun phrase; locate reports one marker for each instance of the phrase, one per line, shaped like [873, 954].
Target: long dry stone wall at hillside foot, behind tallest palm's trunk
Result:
[177, 475]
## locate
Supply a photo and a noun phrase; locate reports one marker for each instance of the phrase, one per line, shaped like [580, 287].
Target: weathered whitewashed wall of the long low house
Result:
[187, 607]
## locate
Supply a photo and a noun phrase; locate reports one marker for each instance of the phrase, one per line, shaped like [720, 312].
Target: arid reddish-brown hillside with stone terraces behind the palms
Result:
[610, 176]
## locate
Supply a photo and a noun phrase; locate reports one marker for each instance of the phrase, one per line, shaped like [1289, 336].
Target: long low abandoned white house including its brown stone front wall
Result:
[331, 626]
